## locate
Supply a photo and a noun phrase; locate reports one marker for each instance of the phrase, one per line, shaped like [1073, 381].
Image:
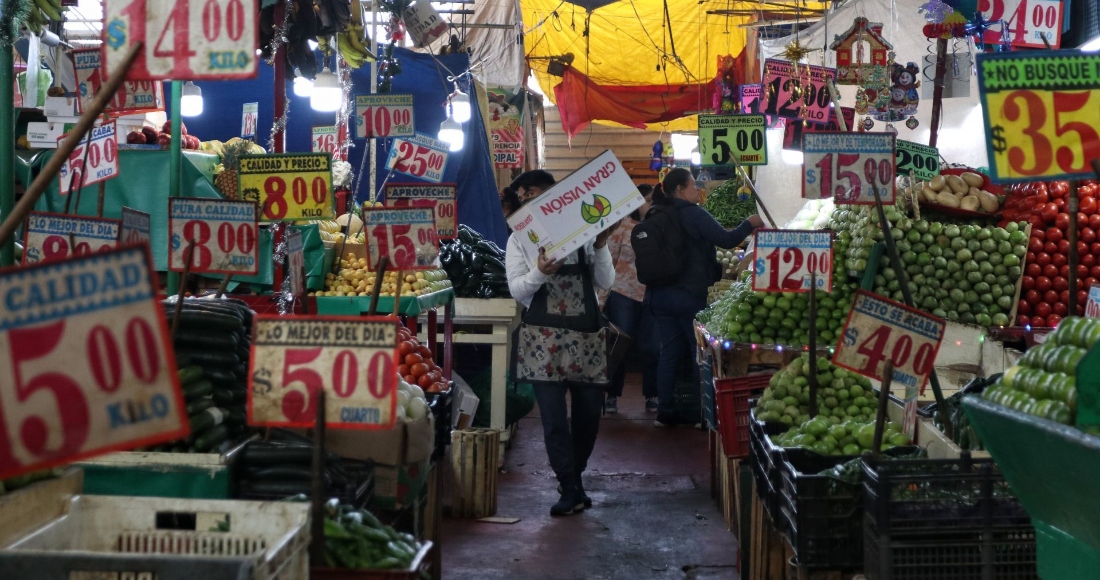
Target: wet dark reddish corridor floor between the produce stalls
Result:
[653, 516]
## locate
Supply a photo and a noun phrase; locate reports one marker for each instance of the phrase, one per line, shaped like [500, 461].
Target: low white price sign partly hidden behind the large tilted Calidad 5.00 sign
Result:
[57, 237]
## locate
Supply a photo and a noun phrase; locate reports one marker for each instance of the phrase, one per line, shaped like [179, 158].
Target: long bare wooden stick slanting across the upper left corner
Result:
[26, 204]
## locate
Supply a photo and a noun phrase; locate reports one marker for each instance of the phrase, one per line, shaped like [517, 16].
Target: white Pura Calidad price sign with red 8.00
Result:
[225, 233]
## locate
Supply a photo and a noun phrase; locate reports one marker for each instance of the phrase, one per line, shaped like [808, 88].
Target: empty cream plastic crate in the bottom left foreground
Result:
[173, 540]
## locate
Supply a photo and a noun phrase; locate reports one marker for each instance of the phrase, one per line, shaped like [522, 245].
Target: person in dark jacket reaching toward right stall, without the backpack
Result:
[674, 308]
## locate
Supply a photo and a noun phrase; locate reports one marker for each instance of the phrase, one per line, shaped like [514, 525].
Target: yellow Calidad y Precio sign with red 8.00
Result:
[291, 187]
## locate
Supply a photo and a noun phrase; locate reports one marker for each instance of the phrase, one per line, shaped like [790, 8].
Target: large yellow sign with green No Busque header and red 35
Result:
[1041, 113]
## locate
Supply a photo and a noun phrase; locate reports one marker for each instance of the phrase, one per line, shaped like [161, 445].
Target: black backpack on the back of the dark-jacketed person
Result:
[659, 246]
